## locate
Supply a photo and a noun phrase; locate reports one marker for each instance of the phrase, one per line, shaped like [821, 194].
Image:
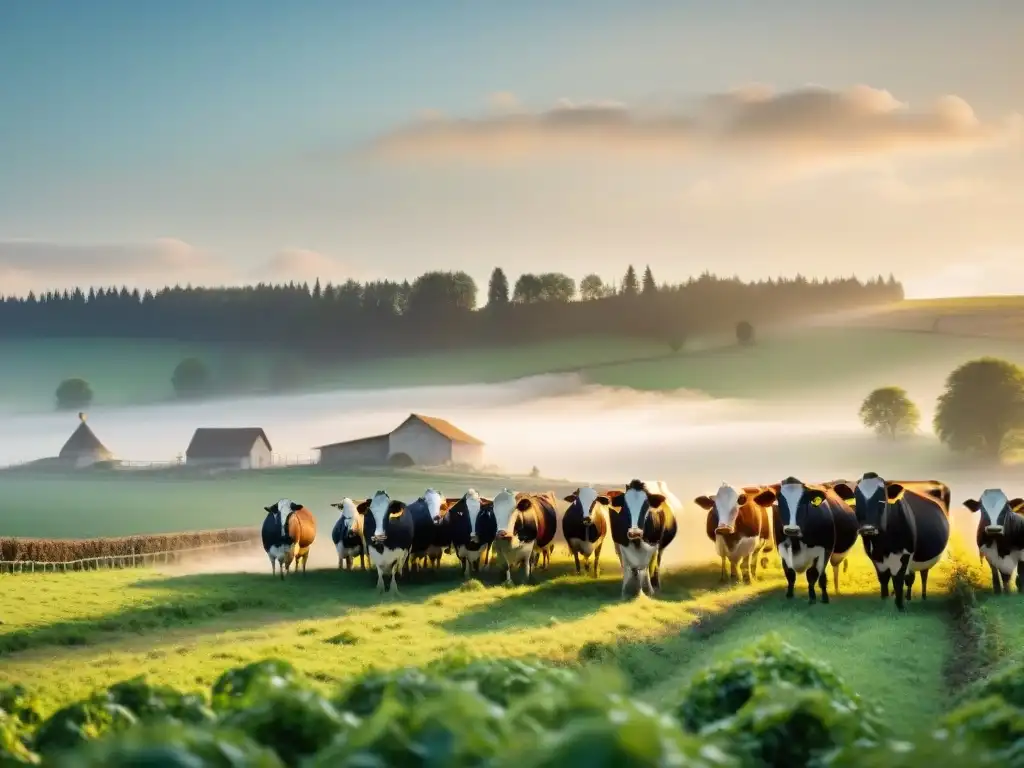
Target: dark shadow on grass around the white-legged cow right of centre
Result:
[571, 598]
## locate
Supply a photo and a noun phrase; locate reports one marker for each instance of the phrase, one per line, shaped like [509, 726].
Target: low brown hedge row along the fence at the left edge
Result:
[68, 550]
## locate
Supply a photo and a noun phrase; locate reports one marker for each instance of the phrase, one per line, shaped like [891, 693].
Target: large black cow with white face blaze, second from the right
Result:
[906, 531]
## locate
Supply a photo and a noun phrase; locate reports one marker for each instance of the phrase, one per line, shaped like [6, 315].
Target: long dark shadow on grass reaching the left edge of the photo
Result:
[244, 600]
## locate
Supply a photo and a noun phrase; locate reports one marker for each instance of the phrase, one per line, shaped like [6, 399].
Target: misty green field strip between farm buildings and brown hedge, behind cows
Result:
[112, 504]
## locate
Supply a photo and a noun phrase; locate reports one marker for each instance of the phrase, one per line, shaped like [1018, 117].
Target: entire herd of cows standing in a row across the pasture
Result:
[905, 528]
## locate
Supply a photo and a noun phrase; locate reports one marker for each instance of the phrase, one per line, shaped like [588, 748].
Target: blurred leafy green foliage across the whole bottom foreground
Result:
[767, 705]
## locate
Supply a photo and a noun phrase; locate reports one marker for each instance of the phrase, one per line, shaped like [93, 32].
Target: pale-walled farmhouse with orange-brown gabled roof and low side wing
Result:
[418, 441]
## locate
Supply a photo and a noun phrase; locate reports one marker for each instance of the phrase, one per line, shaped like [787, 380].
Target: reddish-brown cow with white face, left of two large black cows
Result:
[740, 528]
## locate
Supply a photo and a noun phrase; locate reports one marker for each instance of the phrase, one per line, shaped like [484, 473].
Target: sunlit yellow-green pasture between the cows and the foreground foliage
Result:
[70, 634]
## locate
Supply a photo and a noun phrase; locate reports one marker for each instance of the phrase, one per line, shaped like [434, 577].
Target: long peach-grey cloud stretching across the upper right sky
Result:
[753, 120]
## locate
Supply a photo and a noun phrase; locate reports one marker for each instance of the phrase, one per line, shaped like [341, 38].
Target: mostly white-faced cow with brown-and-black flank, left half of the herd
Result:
[526, 523]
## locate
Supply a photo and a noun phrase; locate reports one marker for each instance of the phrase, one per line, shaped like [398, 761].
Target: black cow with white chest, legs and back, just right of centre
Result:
[644, 524]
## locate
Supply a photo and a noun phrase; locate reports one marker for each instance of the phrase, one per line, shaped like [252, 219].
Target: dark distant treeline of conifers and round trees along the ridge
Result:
[438, 310]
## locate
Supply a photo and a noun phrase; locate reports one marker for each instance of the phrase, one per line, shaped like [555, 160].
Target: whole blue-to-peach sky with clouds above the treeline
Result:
[228, 142]
